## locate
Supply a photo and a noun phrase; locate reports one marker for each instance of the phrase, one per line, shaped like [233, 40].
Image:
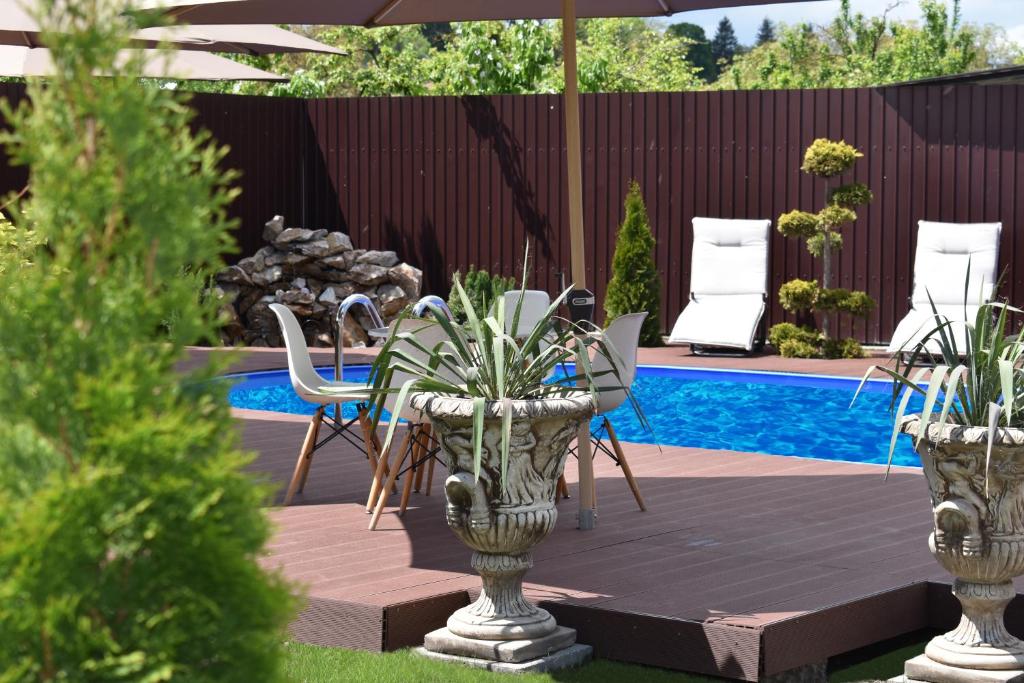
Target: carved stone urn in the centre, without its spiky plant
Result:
[503, 631]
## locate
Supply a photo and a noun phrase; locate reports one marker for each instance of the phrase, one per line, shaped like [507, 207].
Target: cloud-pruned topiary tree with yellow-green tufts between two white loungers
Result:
[827, 160]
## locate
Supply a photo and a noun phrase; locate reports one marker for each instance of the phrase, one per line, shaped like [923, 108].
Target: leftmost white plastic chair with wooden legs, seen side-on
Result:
[311, 387]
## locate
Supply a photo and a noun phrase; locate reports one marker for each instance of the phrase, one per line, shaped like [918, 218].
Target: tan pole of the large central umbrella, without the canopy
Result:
[587, 518]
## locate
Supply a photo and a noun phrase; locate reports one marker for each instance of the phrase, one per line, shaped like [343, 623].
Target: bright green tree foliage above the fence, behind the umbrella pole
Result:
[478, 58]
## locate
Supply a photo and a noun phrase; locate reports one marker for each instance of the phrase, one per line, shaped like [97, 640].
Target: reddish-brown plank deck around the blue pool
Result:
[745, 566]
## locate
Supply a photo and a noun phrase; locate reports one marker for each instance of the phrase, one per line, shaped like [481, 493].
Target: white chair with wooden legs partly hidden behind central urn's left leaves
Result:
[417, 443]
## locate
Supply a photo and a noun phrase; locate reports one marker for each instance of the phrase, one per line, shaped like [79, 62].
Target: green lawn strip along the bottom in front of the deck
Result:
[308, 664]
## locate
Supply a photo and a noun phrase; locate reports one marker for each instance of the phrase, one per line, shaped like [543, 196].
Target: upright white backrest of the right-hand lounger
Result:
[942, 262]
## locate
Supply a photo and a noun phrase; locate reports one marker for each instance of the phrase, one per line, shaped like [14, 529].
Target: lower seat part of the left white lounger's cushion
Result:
[720, 320]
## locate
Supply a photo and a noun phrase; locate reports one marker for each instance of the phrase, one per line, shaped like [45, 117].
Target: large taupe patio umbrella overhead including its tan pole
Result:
[383, 13]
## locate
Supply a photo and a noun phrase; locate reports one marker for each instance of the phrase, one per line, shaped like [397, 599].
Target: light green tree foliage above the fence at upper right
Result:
[856, 51]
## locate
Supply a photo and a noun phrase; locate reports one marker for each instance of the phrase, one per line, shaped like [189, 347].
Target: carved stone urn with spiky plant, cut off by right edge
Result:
[970, 436]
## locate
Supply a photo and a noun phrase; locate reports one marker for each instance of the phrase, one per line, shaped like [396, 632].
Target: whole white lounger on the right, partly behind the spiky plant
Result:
[941, 268]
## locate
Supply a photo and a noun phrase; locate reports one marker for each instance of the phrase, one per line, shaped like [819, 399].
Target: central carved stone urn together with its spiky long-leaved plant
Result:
[504, 429]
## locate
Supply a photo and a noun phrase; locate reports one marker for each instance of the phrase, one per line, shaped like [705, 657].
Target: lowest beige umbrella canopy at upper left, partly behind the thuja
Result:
[18, 62]
